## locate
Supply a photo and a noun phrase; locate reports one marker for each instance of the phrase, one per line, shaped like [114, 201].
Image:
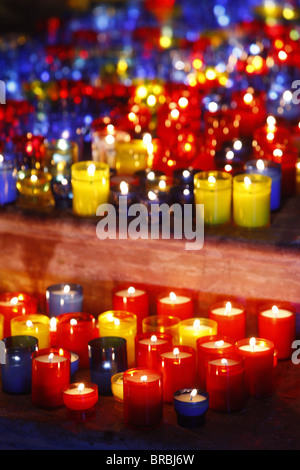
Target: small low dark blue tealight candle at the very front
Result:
[190, 406]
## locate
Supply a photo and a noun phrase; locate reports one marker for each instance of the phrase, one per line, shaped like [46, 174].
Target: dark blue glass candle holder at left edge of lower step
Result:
[17, 363]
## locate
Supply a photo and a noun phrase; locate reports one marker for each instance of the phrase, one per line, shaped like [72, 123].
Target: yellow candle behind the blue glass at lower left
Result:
[36, 325]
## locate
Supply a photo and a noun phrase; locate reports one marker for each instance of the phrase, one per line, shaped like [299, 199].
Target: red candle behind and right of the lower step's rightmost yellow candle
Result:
[231, 319]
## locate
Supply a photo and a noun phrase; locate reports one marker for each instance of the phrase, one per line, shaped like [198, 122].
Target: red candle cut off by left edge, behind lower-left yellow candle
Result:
[14, 304]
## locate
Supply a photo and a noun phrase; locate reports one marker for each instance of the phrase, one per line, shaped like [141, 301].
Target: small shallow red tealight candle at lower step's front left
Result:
[80, 396]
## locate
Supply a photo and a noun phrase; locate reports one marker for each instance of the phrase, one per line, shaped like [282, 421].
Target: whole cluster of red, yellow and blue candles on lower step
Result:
[143, 360]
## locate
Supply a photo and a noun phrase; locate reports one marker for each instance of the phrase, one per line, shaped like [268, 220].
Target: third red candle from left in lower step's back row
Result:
[180, 306]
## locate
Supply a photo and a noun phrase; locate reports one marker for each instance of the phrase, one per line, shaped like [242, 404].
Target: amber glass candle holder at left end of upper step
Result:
[35, 189]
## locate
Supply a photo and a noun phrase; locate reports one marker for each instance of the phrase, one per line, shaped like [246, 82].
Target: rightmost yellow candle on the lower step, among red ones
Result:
[193, 328]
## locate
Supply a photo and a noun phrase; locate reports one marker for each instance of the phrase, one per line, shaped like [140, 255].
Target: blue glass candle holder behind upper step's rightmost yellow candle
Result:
[271, 169]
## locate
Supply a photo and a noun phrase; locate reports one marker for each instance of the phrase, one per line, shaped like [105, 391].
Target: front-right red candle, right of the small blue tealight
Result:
[225, 383]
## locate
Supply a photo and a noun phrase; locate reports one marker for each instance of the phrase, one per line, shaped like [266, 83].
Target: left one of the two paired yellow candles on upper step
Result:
[213, 189]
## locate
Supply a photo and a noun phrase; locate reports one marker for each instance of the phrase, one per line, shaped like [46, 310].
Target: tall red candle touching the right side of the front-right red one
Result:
[258, 357]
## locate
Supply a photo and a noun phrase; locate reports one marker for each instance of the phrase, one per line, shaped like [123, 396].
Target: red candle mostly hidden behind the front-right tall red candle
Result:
[211, 347]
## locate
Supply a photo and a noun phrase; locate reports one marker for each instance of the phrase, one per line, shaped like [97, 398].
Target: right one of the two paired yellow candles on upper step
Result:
[251, 200]
